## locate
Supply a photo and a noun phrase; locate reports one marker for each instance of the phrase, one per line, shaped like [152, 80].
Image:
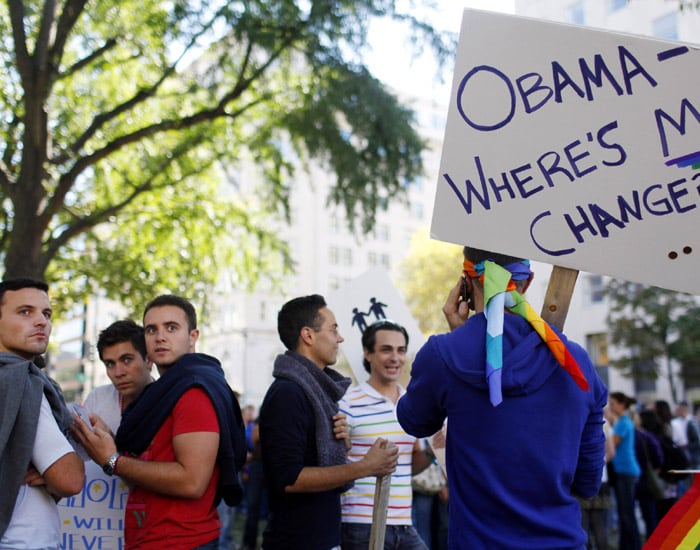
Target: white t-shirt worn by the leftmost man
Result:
[35, 523]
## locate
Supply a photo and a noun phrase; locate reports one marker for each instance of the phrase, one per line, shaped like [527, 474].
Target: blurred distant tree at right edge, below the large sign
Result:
[653, 327]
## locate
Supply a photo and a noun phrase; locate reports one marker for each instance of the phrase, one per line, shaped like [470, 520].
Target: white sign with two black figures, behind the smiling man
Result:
[365, 300]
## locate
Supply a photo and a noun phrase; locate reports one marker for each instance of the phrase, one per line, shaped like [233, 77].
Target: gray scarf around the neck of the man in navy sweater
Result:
[323, 389]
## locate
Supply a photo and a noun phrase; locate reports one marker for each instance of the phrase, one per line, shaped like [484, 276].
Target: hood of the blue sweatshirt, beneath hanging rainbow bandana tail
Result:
[527, 361]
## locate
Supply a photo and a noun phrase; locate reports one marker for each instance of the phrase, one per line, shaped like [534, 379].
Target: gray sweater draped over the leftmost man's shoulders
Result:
[22, 384]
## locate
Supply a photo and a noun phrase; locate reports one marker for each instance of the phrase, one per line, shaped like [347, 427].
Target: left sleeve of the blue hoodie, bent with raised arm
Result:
[421, 411]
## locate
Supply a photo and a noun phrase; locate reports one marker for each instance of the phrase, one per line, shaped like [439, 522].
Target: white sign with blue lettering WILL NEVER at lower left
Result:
[94, 518]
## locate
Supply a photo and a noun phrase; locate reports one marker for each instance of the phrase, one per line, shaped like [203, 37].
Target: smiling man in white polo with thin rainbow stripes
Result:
[371, 410]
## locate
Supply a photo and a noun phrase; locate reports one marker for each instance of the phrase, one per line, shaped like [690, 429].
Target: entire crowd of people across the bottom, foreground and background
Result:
[538, 454]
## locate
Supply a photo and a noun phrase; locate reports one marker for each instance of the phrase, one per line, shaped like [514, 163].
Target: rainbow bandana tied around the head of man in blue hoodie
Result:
[499, 294]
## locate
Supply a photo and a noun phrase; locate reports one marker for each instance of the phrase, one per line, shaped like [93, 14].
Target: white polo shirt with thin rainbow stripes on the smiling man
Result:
[371, 415]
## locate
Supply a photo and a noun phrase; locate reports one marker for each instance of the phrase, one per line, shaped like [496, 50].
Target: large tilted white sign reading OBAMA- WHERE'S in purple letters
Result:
[576, 147]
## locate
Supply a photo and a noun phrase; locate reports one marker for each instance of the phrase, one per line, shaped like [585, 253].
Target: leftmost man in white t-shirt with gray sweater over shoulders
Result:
[38, 465]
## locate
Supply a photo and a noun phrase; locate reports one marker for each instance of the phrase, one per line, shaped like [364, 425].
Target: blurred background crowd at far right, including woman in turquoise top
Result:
[647, 444]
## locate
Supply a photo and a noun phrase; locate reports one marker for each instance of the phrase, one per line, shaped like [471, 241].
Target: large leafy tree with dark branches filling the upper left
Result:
[124, 125]
